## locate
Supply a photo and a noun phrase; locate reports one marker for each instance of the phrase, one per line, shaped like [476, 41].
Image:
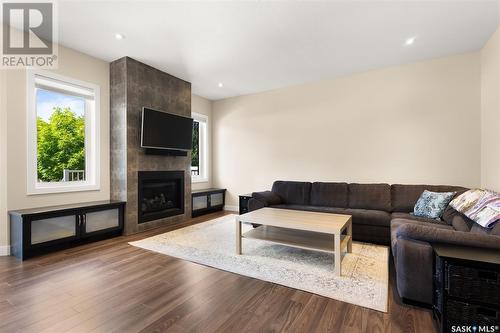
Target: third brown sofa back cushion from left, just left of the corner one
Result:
[370, 196]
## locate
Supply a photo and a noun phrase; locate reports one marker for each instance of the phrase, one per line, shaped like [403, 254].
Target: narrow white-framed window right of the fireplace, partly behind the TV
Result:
[199, 154]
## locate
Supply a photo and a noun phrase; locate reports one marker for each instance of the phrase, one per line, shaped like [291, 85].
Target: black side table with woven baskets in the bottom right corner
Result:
[466, 288]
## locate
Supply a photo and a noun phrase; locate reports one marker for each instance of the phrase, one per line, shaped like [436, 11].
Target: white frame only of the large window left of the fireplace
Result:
[92, 135]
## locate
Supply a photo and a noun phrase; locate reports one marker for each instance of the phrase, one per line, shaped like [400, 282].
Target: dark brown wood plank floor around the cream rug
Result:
[112, 286]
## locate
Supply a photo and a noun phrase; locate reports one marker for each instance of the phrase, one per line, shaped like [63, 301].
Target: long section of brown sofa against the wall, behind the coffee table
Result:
[372, 206]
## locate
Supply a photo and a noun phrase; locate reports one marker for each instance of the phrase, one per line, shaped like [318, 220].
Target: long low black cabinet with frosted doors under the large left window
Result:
[41, 230]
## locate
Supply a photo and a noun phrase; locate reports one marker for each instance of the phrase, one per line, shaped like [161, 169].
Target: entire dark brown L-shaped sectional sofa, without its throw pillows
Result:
[381, 214]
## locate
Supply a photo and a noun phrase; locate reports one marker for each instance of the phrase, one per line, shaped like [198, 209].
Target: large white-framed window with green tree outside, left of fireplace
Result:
[63, 134]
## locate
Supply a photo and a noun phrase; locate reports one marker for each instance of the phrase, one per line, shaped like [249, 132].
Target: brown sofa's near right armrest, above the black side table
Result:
[435, 235]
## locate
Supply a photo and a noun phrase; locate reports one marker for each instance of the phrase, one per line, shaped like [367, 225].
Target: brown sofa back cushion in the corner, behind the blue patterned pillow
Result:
[404, 197]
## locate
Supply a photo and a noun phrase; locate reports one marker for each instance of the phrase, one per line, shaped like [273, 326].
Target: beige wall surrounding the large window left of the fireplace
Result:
[72, 64]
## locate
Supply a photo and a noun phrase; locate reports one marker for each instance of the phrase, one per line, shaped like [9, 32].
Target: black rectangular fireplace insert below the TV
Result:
[161, 194]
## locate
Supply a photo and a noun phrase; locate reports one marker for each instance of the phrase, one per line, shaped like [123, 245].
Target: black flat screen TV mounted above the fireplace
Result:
[162, 130]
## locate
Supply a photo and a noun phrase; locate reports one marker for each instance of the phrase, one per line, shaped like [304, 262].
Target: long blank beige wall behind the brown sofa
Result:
[417, 123]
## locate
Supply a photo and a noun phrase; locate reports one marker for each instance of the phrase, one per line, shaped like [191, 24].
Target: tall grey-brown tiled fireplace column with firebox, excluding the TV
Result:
[165, 196]
